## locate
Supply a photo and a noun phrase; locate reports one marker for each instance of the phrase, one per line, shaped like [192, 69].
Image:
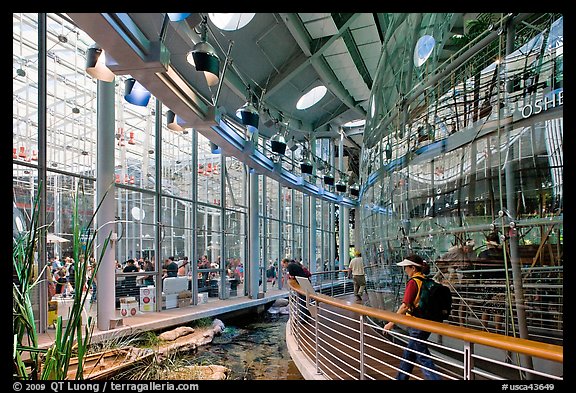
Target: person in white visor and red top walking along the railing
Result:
[417, 349]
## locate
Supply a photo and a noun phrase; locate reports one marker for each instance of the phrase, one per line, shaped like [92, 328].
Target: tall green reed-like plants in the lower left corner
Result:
[74, 338]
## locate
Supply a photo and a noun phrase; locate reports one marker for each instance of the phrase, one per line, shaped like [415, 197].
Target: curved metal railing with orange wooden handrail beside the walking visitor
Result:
[345, 341]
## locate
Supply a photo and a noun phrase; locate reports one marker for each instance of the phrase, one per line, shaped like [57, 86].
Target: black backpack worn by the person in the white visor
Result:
[435, 300]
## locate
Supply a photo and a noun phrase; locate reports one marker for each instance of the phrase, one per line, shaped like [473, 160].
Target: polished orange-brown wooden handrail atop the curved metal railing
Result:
[523, 346]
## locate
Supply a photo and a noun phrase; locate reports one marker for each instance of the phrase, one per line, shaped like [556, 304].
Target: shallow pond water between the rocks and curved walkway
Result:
[253, 347]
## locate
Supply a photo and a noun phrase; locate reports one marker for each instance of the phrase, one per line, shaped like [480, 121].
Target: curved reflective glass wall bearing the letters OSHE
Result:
[465, 150]
